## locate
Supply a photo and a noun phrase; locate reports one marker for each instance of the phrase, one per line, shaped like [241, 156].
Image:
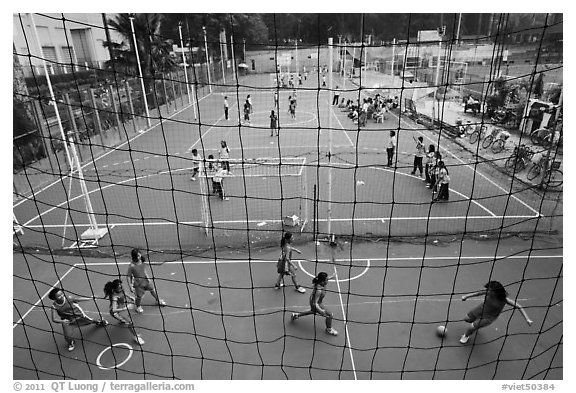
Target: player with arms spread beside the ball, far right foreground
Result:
[495, 298]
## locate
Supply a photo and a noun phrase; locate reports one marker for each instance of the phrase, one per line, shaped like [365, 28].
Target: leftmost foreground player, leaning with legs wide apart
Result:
[67, 311]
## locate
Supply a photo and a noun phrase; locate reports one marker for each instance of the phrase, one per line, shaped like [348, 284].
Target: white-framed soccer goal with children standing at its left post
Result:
[263, 193]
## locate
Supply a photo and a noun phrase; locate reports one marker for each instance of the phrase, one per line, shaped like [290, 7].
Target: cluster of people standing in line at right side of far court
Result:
[436, 174]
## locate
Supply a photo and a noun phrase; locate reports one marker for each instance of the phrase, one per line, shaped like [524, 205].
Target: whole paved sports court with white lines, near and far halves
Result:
[402, 263]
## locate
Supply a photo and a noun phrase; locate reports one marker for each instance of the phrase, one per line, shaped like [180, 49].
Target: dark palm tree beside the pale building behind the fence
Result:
[153, 50]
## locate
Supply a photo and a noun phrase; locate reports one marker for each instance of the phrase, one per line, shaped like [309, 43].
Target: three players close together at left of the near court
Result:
[67, 312]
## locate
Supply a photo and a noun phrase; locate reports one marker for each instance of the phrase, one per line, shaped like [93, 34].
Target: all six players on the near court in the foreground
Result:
[67, 311]
